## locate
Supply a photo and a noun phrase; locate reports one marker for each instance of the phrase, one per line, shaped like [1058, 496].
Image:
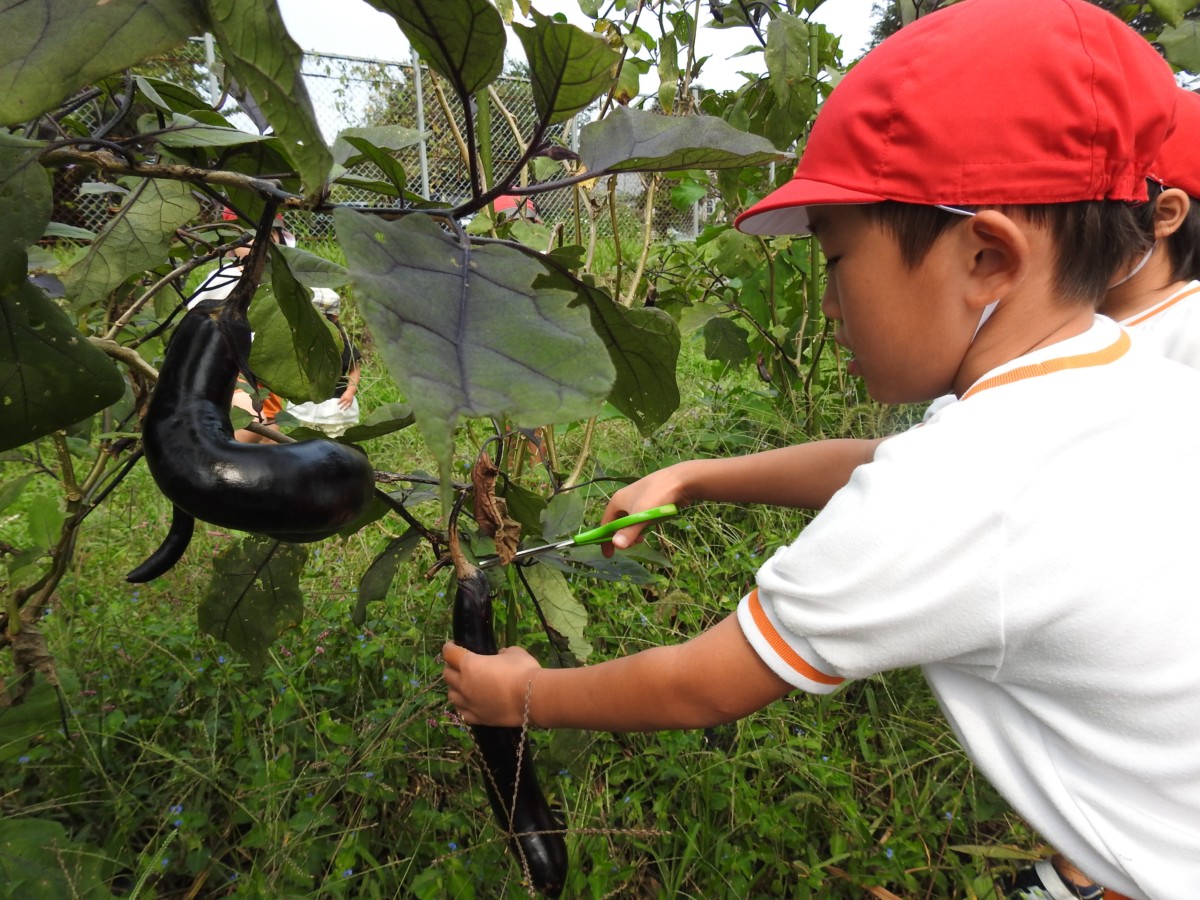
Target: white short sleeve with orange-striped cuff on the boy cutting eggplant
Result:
[901, 569]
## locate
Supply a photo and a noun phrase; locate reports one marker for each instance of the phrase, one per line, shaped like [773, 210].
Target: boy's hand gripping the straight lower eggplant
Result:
[489, 691]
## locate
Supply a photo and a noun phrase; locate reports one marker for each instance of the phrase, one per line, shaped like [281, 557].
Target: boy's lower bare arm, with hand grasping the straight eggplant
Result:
[713, 679]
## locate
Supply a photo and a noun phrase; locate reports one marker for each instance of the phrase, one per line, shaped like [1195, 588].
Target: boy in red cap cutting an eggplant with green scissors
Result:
[975, 164]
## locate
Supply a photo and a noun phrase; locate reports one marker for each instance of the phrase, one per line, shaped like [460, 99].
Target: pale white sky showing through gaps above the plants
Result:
[352, 28]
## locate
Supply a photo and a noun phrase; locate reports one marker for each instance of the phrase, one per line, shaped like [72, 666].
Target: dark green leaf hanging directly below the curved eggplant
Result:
[255, 596]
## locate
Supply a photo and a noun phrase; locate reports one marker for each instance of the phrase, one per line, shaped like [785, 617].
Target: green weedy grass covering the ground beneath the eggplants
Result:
[340, 771]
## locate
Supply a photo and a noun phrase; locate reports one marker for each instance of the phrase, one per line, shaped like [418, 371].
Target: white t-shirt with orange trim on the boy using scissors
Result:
[1054, 610]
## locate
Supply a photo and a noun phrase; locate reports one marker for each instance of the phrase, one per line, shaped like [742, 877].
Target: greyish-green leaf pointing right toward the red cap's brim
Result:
[635, 141]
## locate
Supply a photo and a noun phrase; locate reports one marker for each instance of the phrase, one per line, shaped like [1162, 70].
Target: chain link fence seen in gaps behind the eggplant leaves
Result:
[357, 93]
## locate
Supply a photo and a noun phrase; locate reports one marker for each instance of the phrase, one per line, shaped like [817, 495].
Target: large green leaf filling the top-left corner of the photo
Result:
[51, 49]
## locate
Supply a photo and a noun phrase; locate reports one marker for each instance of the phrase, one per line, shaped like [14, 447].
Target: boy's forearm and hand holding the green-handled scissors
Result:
[803, 477]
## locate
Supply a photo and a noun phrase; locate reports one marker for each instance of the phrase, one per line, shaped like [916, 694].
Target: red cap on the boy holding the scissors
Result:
[986, 103]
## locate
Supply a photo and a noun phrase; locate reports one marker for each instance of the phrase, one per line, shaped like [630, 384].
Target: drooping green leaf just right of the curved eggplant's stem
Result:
[295, 350]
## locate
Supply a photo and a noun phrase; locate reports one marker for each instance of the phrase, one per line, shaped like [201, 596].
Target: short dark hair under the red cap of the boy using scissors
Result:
[1093, 238]
